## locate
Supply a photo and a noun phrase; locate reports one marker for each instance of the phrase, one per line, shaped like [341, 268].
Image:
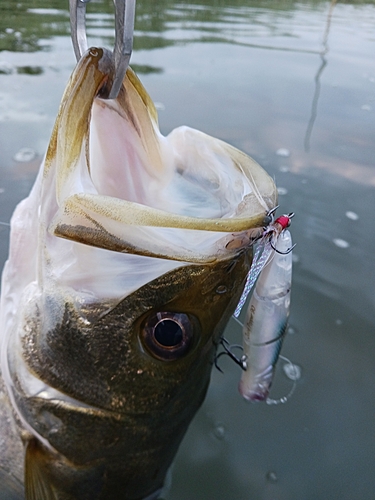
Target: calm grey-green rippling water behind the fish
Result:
[265, 76]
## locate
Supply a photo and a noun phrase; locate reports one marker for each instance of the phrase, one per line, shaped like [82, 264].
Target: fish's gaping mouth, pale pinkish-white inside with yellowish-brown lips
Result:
[121, 185]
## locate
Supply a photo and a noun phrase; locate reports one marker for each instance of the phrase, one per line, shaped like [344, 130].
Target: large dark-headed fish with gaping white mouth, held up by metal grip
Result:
[126, 262]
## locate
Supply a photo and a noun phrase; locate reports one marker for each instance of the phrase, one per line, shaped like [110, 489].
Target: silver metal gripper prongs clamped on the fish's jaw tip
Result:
[124, 30]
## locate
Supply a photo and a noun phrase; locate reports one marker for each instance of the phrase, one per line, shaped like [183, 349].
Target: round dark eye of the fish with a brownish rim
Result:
[167, 335]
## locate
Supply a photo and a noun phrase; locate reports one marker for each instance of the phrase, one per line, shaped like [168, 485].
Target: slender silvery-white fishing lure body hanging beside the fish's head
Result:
[266, 320]
